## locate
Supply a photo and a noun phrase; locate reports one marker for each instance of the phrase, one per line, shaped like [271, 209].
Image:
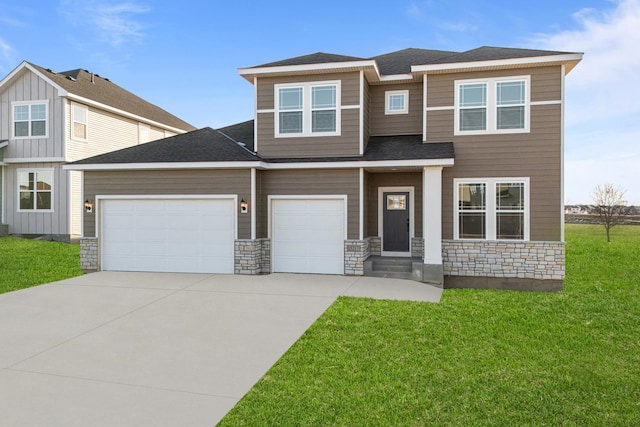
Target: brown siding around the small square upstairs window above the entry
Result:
[396, 124]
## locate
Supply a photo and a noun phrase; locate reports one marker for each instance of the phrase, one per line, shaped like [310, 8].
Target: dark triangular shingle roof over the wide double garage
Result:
[203, 145]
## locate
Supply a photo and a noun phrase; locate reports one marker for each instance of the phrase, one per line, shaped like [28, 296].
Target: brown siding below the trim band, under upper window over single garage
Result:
[346, 144]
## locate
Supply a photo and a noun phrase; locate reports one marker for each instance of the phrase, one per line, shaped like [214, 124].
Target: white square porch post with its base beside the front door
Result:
[432, 224]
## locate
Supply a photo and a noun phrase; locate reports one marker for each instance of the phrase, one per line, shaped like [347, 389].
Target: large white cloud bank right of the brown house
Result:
[602, 131]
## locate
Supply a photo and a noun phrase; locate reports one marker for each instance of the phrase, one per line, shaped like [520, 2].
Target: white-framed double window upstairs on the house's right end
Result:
[495, 105]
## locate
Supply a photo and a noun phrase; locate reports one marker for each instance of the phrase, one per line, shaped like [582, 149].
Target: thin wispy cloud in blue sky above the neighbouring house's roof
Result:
[115, 23]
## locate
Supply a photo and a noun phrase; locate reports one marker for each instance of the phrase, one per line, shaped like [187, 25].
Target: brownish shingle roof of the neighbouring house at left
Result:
[78, 82]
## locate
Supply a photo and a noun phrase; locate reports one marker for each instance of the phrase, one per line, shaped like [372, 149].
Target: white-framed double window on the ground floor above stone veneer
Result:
[491, 209]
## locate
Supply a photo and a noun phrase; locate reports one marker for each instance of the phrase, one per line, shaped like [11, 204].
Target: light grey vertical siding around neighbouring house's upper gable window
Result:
[30, 87]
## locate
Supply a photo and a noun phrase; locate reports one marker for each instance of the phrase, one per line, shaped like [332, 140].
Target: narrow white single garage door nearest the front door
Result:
[308, 235]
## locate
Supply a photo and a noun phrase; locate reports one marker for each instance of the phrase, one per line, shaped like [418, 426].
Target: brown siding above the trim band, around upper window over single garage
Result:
[350, 85]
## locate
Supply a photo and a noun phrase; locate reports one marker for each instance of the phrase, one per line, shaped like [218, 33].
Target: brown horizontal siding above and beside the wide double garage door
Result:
[175, 182]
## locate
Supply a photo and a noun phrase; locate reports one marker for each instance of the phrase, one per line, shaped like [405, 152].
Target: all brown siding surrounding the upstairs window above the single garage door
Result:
[345, 144]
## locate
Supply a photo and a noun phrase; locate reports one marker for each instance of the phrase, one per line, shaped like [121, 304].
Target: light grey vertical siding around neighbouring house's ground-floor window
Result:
[55, 222]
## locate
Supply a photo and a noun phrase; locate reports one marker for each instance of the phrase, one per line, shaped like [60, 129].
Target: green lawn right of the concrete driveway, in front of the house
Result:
[480, 357]
